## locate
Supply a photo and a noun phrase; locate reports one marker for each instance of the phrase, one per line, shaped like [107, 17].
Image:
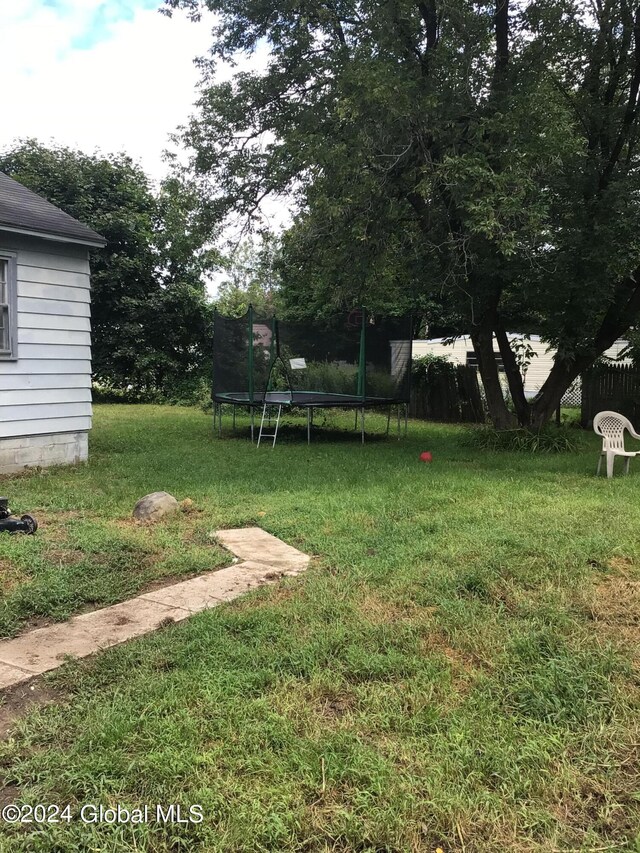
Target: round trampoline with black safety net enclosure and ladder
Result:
[349, 361]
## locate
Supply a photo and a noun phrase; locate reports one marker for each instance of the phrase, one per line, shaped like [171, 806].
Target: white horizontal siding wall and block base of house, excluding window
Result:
[45, 395]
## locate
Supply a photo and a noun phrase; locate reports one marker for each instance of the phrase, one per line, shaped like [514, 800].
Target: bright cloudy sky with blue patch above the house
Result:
[107, 75]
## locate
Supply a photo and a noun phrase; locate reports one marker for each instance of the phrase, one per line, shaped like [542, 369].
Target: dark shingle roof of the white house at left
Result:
[24, 212]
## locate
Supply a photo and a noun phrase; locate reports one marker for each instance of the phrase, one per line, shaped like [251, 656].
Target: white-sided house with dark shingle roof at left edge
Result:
[45, 333]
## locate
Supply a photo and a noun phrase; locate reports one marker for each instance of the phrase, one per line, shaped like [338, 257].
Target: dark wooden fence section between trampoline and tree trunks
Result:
[451, 394]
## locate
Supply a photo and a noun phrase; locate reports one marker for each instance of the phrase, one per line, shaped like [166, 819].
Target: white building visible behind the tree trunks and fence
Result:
[461, 352]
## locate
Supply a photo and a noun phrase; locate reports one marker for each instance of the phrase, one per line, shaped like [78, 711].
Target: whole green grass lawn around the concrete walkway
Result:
[458, 668]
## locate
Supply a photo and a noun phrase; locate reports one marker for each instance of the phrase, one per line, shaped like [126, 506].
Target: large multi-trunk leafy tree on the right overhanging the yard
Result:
[493, 145]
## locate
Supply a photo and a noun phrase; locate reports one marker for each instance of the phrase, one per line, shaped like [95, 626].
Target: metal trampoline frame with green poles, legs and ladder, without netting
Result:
[309, 400]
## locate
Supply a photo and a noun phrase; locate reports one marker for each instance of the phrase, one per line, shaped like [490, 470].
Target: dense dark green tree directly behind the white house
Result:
[150, 317]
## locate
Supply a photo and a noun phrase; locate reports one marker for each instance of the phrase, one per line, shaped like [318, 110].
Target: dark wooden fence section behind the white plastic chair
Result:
[614, 387]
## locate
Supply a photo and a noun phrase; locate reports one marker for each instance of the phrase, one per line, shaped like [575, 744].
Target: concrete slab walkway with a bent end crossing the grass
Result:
[265, 559]
